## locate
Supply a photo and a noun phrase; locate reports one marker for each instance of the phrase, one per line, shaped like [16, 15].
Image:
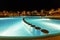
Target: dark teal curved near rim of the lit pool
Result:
[46, 36]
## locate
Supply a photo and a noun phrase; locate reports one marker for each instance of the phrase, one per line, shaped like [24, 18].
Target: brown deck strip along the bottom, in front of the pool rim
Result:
[45, 38]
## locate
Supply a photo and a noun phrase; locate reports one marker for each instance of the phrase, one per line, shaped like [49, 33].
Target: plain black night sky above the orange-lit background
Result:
[28, 4]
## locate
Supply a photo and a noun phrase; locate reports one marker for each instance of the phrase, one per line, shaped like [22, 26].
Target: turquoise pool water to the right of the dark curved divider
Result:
[52, 25]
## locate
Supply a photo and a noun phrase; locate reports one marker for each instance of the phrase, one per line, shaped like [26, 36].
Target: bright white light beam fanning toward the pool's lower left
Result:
[11, 30]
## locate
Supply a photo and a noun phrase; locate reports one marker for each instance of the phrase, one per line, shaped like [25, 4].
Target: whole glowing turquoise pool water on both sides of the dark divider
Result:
[16, 27]
